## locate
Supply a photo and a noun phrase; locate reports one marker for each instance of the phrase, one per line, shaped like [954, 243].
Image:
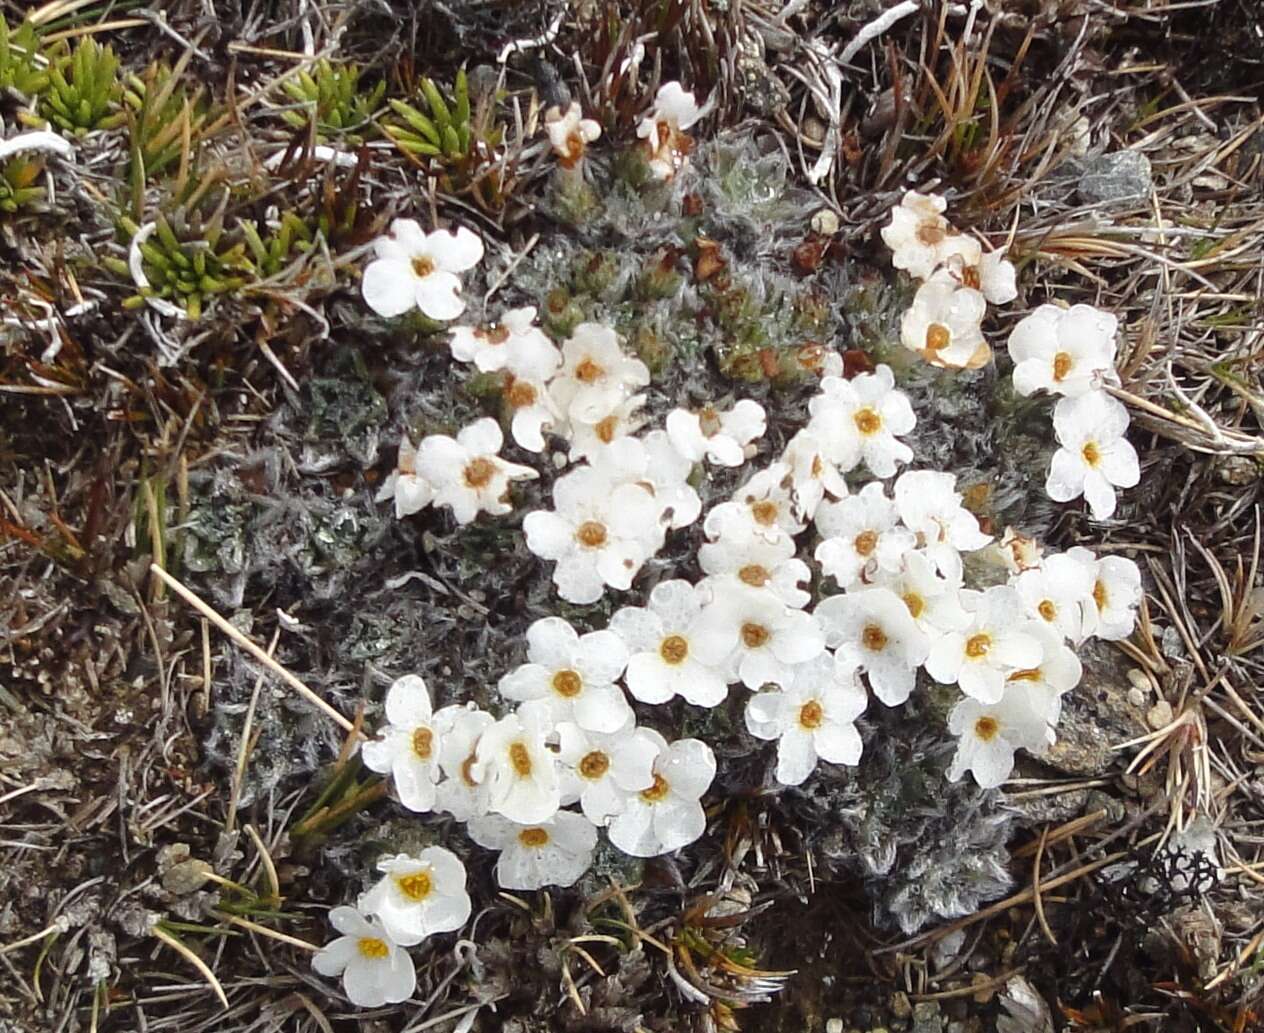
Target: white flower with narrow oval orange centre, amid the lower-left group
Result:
[520, 772]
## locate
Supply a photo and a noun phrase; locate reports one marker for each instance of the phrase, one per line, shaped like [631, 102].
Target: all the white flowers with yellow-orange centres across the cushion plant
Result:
[567, 758]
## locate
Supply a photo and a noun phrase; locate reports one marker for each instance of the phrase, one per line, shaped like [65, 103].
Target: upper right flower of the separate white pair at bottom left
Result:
[419, 896]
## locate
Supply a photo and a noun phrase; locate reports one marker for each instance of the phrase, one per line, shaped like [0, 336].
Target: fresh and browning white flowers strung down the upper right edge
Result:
[1065, 352]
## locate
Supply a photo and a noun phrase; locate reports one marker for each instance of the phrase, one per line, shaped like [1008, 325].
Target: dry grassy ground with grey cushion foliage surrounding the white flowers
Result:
[166, 853]
